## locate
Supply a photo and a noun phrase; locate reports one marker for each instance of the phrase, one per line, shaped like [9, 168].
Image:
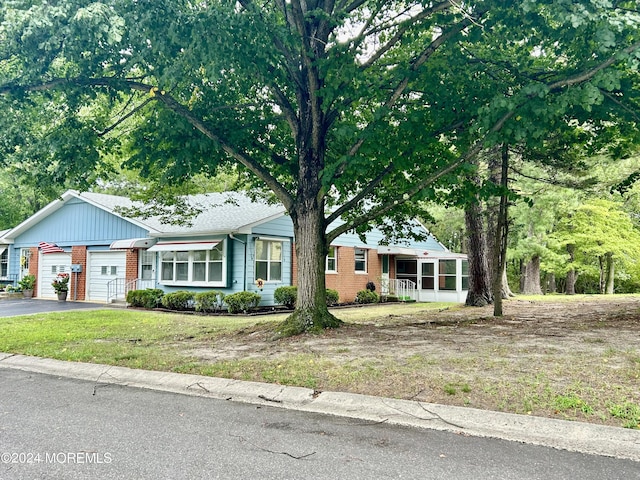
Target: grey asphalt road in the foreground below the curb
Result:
[66, 428]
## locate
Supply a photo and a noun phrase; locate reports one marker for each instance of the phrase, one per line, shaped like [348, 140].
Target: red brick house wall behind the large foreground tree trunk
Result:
[347, 282]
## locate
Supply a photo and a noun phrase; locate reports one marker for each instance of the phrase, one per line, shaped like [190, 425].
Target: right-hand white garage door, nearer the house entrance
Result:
[104, 267]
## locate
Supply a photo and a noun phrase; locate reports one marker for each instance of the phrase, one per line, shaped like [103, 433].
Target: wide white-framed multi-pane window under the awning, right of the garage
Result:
[190, 267]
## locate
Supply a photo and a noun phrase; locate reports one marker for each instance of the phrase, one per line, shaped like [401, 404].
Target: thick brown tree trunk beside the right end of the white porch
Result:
[479, 293]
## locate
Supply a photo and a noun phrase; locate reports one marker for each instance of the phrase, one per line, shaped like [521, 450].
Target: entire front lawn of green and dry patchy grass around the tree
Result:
[596, 382]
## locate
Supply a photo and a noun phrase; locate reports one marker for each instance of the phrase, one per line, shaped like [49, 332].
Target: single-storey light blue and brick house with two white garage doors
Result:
[231, 244]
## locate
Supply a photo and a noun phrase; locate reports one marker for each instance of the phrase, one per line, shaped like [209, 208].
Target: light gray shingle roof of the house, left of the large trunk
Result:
[220, 212]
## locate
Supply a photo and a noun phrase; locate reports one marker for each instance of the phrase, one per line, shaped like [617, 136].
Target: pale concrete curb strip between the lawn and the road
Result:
[565, 435]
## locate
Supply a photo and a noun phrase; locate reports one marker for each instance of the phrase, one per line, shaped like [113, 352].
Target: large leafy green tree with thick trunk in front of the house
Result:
[347, 111]
